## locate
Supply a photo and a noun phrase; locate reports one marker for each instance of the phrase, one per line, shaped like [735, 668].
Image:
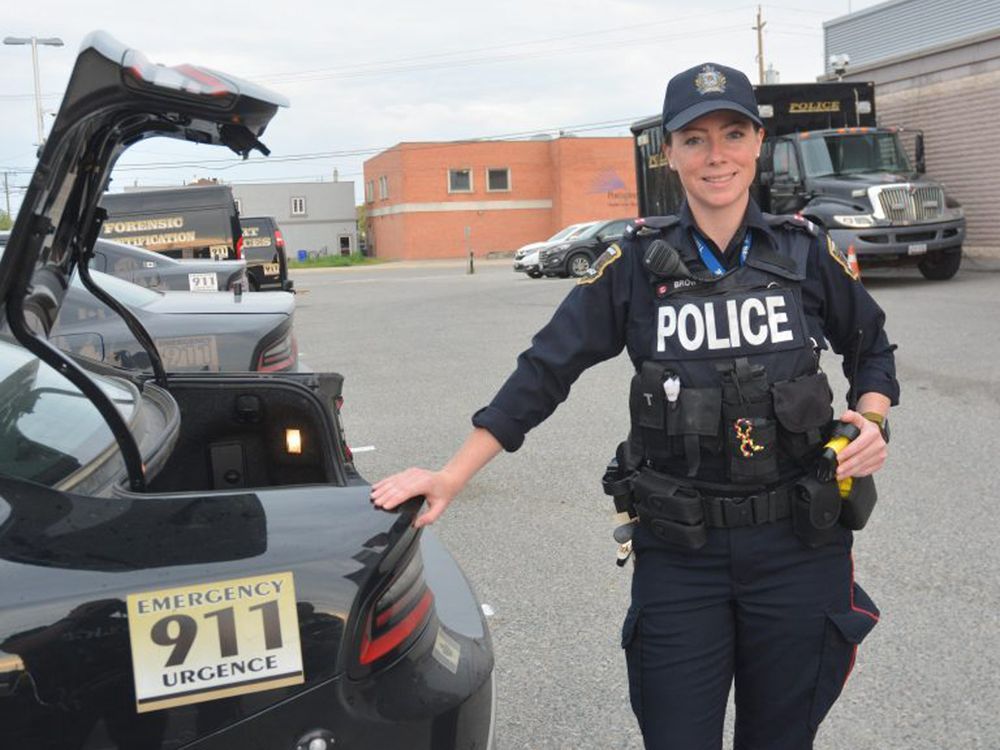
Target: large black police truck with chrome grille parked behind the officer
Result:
[826, 158]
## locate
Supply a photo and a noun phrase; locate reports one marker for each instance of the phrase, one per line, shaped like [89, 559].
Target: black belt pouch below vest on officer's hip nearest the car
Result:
[674, 513]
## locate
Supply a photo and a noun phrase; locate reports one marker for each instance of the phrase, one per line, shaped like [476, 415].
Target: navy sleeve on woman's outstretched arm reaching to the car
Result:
[587, 328]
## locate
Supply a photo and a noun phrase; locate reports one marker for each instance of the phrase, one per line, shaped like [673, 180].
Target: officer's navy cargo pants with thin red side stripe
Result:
[753, 606]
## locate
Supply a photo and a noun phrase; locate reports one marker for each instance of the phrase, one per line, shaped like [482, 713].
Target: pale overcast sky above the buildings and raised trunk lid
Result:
[362, 77]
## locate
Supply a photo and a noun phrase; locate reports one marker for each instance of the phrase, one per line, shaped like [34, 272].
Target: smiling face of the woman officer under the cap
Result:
[715, 157]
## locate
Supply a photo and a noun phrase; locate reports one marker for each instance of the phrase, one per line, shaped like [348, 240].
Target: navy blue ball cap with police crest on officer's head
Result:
[707, 88]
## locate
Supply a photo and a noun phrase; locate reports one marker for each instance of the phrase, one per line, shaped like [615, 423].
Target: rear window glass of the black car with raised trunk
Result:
[48, 428]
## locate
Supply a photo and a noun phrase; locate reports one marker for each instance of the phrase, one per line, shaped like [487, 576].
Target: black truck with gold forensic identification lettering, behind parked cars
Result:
[198, 221]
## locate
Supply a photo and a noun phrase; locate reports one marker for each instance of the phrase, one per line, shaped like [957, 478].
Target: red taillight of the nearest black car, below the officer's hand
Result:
[398, 615]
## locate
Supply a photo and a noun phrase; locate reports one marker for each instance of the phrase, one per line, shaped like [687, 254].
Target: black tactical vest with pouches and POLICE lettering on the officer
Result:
[732, 392]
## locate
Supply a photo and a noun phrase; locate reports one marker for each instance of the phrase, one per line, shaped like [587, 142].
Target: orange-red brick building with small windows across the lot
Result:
[440, 200]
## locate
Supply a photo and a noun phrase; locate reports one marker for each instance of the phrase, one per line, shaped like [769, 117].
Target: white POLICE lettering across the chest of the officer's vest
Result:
[726, 324]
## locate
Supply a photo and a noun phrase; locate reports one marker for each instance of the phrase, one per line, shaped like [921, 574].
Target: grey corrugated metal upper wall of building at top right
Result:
[901, 27]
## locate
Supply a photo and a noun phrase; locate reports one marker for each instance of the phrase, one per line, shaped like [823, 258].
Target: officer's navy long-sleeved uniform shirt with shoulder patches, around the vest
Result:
[615, 308]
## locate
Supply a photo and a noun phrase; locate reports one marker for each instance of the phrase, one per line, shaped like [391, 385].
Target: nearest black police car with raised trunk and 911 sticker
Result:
[192, 560]
